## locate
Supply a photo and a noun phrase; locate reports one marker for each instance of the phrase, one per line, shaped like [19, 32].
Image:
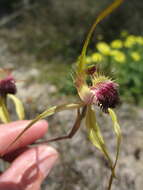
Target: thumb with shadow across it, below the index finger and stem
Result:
[29, 170]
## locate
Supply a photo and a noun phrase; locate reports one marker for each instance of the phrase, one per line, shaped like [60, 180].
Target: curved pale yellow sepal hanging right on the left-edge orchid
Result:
[18, 106]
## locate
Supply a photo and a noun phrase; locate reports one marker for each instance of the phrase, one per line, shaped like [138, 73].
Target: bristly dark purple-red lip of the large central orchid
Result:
[106, 95]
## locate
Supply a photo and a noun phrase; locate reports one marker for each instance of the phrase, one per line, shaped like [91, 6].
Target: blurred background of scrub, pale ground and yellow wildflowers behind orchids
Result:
[40, 41]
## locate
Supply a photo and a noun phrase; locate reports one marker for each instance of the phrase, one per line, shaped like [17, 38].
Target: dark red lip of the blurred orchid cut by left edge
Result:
[7, 86]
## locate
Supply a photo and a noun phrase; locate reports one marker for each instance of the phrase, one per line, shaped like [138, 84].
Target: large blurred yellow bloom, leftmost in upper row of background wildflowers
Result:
[103, 48]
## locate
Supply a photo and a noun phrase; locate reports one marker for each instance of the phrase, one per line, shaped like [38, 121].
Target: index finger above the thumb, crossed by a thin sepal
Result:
[8, 132]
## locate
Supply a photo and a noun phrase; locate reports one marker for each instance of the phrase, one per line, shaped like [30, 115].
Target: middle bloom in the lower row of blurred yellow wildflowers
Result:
[118, 56]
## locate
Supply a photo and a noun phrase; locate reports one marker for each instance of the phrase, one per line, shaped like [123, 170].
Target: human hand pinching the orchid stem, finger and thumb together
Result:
[29, 166]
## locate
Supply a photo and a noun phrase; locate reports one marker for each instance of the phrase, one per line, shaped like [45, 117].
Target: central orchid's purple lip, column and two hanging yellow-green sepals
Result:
[102, 92]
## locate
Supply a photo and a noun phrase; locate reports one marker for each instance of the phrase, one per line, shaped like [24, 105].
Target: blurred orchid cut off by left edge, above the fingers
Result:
[8, 90]
